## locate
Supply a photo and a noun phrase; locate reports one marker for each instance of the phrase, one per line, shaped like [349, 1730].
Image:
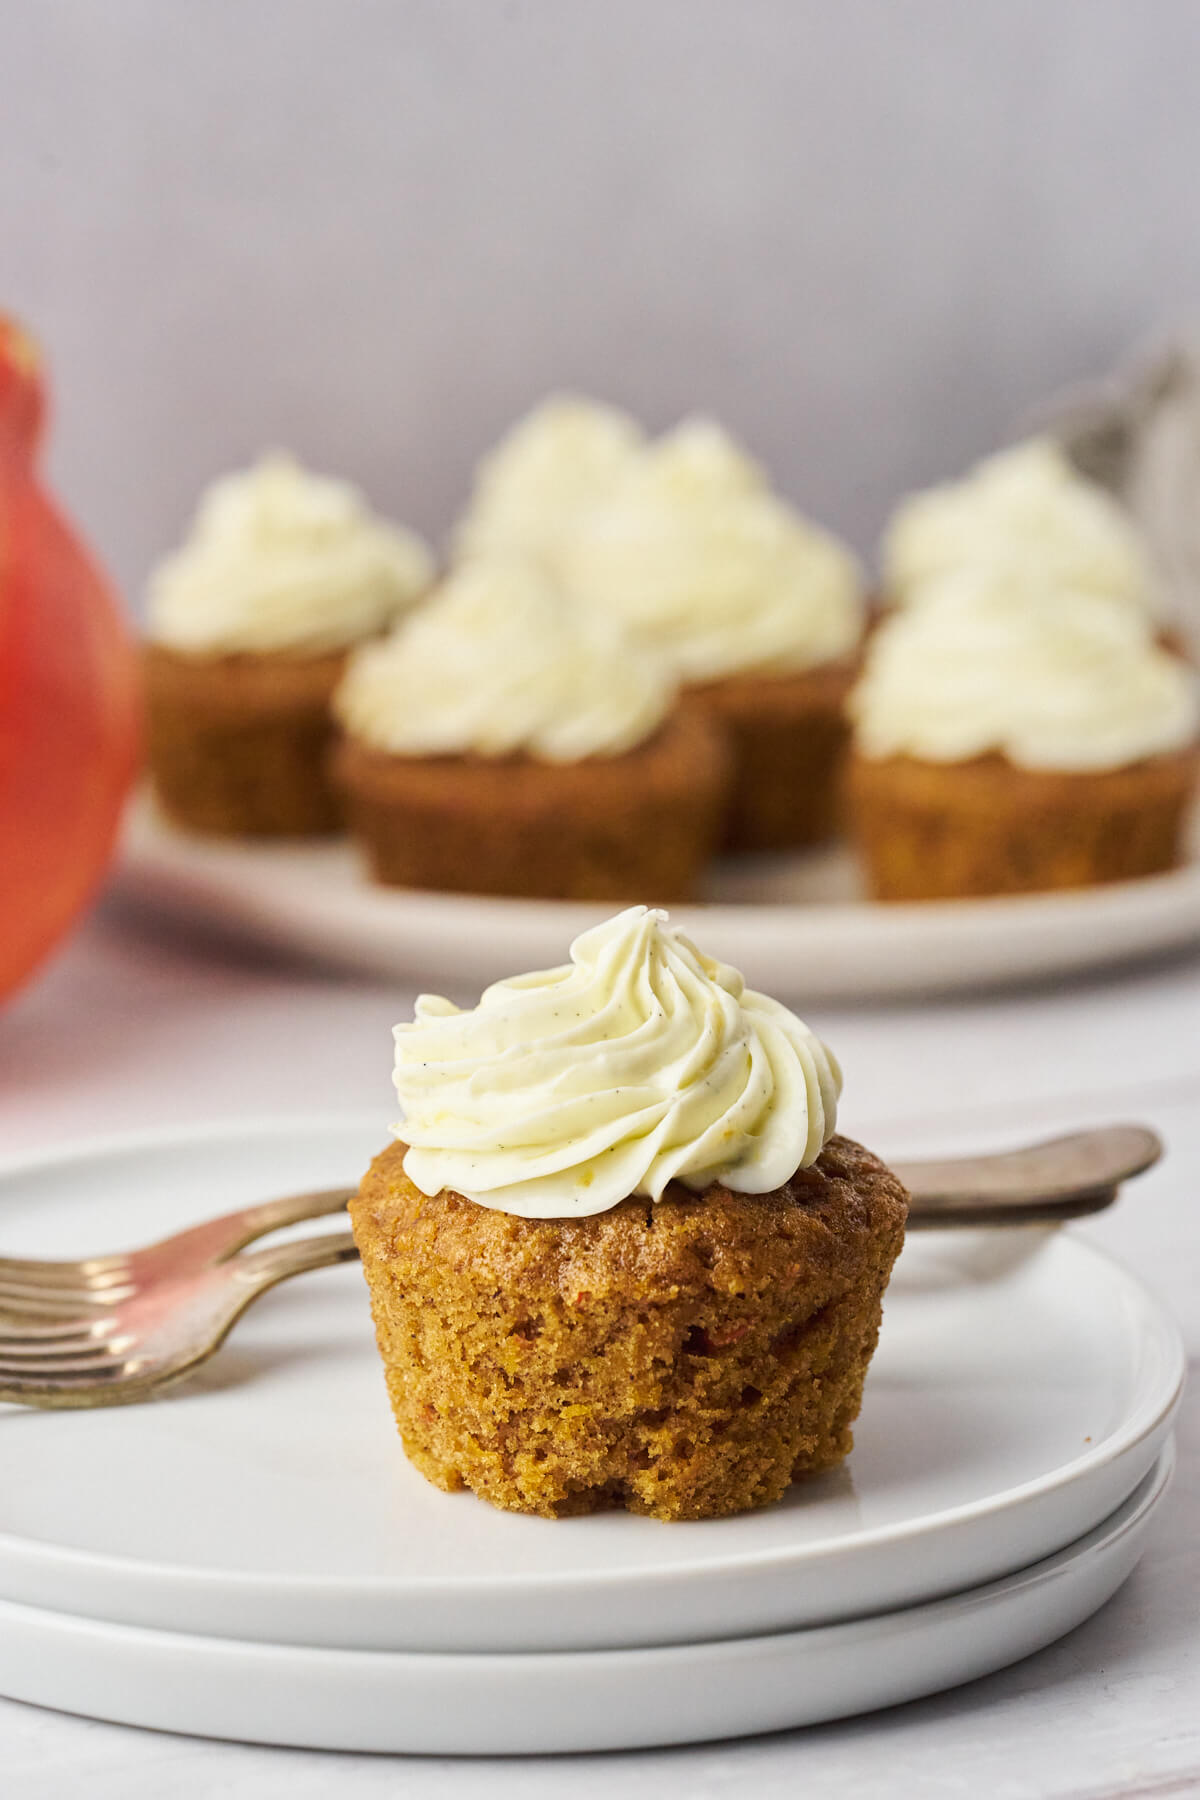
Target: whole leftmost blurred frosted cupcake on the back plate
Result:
[249, 629]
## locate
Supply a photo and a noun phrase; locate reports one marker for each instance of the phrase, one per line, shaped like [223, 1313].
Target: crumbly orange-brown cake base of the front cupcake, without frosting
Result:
[686, 1360]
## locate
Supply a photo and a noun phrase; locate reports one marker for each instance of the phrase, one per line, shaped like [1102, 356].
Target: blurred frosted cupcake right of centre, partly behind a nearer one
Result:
[760, 613]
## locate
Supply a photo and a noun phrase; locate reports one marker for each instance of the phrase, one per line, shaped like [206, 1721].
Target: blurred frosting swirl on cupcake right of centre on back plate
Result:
[699, 561]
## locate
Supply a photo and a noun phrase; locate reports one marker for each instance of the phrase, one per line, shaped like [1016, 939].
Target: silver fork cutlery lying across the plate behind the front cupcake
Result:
[109, 1331]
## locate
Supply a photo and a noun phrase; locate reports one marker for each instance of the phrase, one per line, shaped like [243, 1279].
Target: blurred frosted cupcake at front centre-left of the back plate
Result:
[501, 742]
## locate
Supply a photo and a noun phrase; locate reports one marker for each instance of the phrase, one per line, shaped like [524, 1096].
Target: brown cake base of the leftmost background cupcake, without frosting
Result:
[238, 746]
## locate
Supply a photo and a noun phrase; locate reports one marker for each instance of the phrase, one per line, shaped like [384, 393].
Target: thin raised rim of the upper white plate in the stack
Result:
[1149, 1417]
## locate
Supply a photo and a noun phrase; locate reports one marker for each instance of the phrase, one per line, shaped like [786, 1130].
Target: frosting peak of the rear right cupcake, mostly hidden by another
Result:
[1026, 512]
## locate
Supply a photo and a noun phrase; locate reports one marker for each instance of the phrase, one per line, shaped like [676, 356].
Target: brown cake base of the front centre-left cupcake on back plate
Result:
[636, 827]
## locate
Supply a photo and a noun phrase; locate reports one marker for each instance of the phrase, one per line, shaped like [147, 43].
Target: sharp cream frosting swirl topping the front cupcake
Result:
[636, 1065]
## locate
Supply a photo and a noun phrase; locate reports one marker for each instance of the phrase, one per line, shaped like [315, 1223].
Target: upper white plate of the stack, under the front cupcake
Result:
[1021, 1390]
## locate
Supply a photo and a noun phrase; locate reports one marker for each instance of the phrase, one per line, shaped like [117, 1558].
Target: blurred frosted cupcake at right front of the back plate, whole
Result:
[1014, 739]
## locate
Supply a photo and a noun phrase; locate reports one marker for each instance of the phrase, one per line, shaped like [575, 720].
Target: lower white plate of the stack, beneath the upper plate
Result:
[609, 1700]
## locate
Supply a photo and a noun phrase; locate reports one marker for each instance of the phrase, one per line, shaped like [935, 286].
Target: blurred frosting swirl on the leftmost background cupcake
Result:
[282, 561]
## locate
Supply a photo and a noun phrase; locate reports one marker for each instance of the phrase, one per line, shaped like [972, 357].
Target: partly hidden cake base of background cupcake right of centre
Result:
[789, 735]
